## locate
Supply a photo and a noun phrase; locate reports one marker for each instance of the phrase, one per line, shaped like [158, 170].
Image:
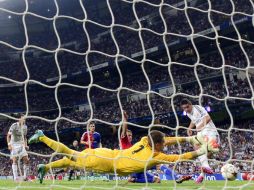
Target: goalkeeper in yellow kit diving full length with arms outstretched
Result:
[145, 153]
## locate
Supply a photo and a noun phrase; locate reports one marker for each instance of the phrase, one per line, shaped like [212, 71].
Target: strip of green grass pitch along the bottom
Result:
[82, 184]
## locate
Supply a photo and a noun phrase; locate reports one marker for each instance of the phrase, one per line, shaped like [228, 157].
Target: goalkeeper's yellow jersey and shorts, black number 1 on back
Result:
[127, 161]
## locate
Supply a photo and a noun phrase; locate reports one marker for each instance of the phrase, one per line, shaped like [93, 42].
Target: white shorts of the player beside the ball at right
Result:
[209, 133]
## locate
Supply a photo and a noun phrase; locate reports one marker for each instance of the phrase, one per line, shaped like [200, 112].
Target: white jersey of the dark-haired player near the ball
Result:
[197, 116]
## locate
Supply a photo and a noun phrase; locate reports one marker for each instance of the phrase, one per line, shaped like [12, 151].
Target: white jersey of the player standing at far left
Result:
[18, 133]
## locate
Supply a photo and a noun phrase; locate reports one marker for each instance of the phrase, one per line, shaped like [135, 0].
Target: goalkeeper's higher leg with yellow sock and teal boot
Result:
[56, 146]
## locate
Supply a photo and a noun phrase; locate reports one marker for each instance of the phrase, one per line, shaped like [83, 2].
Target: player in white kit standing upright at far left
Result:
[17, 144]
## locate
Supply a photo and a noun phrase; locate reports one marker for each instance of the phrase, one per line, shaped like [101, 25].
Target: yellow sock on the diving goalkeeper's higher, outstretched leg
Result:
[57, 146]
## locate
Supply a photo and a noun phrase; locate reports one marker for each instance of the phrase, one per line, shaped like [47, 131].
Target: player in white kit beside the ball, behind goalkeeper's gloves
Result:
[206, 130]
